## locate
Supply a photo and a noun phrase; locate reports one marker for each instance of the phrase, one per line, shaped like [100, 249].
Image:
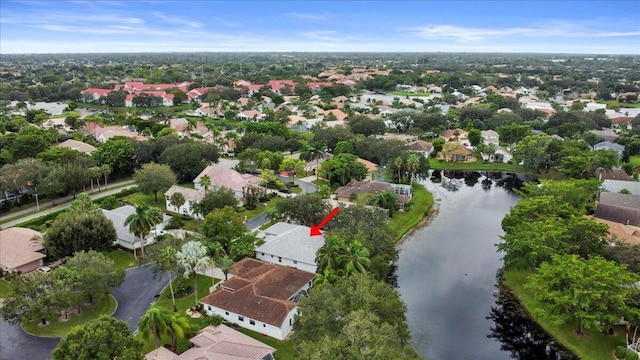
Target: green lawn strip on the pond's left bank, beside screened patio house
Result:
[402, 221]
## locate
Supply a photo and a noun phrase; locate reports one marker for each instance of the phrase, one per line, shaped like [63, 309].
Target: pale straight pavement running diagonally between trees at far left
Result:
[21, 216]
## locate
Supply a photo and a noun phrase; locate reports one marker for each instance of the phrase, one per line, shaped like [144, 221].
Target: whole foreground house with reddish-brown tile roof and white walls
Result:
[262, 297]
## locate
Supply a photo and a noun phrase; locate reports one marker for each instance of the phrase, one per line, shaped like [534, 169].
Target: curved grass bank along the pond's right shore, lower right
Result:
[594, 346]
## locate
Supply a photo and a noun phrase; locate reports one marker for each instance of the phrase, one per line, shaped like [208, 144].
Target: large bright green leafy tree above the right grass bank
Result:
[593, 292]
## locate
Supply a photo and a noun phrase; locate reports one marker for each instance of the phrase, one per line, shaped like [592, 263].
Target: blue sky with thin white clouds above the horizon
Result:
[556, 26]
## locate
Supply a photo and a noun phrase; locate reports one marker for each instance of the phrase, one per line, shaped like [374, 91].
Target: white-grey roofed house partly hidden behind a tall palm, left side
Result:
[125, 238]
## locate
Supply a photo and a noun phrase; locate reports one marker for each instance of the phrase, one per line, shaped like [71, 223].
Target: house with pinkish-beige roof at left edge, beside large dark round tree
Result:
[21, 250]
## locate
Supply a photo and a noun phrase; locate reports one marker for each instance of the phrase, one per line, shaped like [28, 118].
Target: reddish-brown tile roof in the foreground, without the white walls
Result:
[265, 297]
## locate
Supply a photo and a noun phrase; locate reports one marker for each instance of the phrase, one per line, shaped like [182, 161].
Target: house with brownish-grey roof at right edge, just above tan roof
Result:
[621, 208]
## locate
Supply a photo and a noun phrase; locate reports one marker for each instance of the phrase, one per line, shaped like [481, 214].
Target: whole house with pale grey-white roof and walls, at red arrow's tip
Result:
[290, 245]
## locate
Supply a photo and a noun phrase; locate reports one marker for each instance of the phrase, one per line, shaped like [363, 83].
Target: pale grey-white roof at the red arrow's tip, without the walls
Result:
[291, 241]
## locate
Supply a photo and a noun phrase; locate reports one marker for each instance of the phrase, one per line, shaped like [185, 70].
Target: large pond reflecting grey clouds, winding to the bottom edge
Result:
[447, 276]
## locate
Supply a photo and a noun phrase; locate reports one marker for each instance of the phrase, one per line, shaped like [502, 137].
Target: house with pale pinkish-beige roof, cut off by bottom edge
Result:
[218, 343]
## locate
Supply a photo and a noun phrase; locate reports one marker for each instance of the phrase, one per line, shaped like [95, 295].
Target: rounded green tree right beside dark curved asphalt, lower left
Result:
[97, 273]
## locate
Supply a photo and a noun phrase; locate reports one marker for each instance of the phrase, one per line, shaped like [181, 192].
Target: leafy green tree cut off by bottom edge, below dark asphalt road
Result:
[103, 339]
